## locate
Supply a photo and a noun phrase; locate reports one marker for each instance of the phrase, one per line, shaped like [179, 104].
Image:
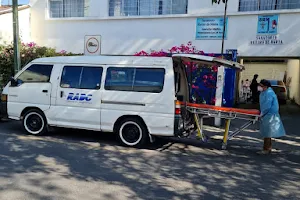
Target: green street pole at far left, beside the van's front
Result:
[17, 59]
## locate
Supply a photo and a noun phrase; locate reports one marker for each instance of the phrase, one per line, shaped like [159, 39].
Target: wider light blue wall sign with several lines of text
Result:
[211, 28]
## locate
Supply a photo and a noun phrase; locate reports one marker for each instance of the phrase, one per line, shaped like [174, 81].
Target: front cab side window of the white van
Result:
[36, 73]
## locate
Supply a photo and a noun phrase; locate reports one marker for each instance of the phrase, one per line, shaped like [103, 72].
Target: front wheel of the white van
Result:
[34, 122]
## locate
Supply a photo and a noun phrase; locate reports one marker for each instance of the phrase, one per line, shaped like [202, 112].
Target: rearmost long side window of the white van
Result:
[135, 79]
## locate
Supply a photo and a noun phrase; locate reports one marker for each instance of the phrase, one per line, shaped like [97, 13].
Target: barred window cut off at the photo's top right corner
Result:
[256, 5]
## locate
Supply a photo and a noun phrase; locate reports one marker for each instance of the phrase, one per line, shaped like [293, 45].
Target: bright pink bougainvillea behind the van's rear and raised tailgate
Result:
[203, 79]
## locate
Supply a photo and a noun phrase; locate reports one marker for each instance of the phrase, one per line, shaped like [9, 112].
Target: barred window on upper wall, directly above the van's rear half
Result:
[147, 7]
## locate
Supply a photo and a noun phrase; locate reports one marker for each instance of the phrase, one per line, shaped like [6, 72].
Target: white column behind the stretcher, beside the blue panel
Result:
[219, 91]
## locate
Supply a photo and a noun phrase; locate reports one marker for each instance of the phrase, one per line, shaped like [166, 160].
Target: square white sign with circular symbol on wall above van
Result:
[92, 45]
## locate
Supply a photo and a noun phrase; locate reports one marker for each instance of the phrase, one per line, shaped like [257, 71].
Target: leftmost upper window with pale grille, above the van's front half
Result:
[67, 8]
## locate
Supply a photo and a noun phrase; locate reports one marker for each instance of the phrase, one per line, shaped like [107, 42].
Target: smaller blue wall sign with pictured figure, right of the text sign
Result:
[267, 25]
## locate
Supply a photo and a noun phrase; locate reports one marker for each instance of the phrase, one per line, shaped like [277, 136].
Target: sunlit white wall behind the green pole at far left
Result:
[6, 28]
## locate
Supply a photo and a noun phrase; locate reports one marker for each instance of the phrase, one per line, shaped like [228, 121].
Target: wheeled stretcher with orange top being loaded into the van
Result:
[201, 111]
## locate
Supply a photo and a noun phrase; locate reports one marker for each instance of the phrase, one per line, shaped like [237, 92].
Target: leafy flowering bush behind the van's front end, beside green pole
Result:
[28, 52]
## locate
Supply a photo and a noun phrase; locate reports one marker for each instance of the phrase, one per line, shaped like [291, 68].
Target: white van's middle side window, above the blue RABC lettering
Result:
[81, 77]
